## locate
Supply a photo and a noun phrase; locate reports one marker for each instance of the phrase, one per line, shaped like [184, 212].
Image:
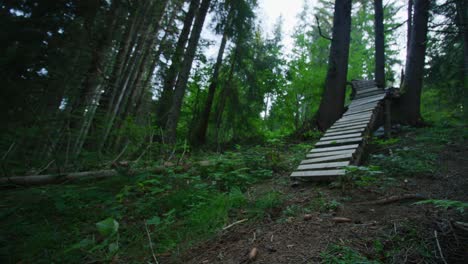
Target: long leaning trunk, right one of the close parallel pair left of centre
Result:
[174, 112]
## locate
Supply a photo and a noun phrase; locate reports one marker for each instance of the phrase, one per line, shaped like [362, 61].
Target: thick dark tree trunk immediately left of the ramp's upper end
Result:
[332, 104]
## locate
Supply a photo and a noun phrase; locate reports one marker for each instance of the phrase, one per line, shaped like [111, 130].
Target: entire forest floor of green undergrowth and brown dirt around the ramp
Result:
[188, 218]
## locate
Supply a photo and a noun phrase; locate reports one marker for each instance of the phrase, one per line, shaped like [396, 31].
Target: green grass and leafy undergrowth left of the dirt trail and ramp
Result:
[111, 220]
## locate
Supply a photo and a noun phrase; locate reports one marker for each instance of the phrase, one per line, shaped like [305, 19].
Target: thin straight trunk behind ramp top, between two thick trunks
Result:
[379, 44]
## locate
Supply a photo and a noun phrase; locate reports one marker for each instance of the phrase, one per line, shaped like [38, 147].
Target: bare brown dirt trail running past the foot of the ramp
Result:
[296, 240]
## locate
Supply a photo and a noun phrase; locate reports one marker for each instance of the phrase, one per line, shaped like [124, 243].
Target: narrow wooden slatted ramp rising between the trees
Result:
[343, 143]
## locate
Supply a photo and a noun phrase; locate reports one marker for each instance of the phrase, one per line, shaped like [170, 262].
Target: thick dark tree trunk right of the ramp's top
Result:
[410, 101]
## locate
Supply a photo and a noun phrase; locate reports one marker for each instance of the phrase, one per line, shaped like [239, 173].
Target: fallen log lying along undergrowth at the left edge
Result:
[56, 178]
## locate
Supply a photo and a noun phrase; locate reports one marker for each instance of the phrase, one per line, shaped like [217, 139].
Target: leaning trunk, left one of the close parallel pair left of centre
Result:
[176, 60]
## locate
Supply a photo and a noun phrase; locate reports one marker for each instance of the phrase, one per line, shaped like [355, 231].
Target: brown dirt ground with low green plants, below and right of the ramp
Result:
[355, 224]
